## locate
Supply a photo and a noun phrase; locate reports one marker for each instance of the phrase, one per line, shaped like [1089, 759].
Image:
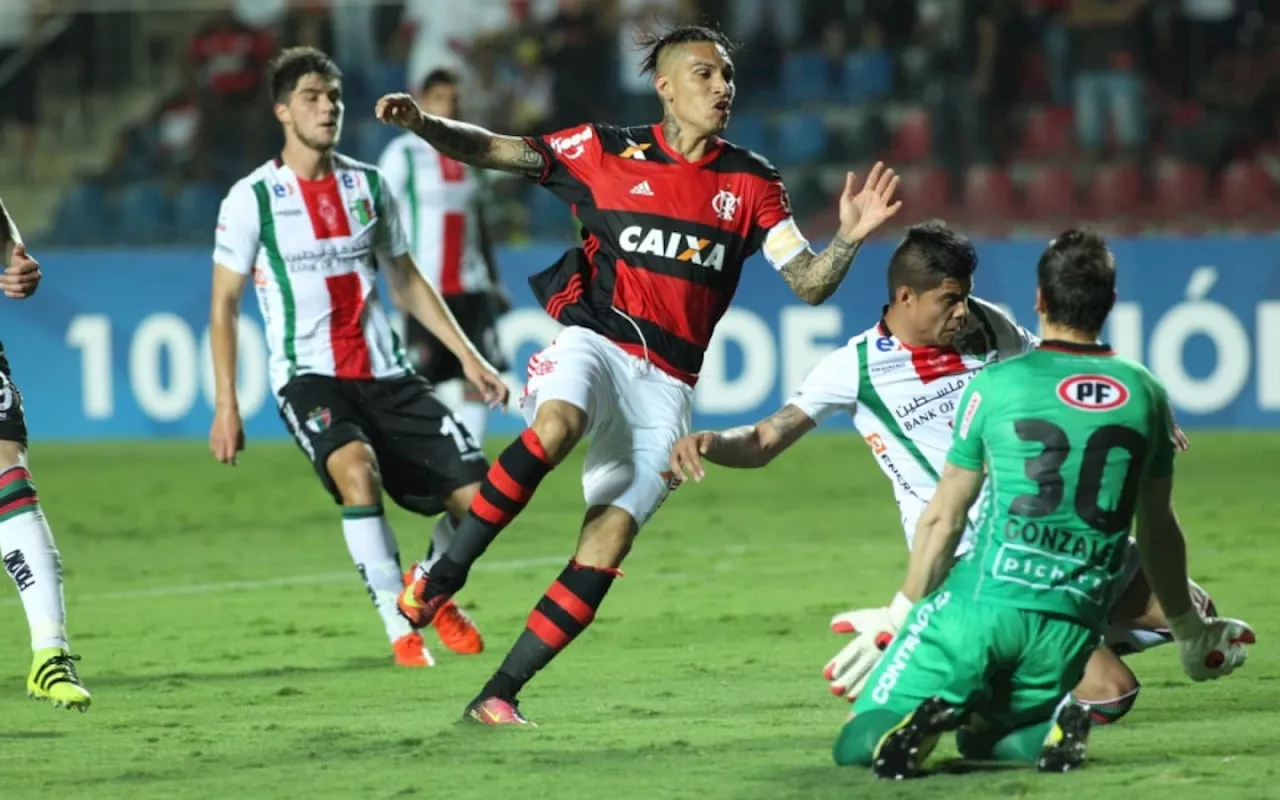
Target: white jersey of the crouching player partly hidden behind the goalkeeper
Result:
[904, 399]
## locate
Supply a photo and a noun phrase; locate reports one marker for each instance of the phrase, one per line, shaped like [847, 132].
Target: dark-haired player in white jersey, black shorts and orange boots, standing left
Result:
[314, 230]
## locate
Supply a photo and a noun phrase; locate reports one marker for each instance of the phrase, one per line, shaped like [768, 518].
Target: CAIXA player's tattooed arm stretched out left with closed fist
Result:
[461, 141]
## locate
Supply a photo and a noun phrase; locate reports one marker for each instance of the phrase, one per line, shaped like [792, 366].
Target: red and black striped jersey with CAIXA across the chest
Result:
[665, 240]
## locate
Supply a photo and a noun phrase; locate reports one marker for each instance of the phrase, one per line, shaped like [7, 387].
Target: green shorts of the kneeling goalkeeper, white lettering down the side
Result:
[1009, 665]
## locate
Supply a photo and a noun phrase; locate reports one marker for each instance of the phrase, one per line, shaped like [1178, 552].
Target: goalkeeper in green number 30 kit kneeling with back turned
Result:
[1076, 442]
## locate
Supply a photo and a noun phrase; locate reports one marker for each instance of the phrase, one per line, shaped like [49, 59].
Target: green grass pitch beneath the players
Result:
[232, 651]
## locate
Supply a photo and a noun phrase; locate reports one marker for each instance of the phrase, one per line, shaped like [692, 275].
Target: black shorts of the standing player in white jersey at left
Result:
[424, 454]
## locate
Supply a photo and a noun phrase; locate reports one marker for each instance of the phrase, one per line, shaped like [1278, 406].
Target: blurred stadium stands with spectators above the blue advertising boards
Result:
[1009, 117]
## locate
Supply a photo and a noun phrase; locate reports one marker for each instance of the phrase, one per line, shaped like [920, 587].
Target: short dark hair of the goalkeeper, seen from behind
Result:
[1077, 278]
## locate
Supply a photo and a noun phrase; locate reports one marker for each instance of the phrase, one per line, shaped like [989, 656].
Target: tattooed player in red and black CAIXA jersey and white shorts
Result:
[671, 213]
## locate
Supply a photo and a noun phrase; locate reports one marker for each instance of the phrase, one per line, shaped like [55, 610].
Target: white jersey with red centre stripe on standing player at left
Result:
[314, 249]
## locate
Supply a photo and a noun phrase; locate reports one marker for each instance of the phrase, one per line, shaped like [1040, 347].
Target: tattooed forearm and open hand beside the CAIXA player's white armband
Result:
[815, 277]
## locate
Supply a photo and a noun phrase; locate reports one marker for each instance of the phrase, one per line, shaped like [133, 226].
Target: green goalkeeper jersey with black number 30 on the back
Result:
[1067, 435]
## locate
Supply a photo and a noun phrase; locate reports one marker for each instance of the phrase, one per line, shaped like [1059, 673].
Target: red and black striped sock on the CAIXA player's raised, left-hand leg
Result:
[506, 491]
